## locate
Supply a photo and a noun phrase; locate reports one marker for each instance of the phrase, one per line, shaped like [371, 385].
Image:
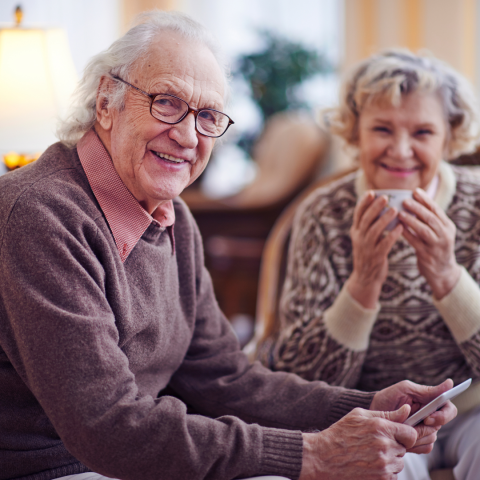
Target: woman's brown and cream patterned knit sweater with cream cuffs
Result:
[327, 335]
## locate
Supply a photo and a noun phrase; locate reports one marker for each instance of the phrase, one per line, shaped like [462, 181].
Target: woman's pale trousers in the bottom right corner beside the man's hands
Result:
[457, 447]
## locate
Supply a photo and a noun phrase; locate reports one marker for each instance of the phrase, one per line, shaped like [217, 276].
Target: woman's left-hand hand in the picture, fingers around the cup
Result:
[371, 248]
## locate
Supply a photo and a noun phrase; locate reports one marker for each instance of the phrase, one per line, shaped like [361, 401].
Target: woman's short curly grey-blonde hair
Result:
[384, 78]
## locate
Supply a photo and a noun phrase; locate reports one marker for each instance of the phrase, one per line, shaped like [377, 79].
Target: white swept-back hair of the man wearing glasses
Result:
[119, 59]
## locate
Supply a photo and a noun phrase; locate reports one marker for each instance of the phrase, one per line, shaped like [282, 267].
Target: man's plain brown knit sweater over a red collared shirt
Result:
[87, 344]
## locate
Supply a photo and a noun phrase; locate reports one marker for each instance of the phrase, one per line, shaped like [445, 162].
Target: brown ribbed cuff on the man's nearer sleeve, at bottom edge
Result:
[282, 453]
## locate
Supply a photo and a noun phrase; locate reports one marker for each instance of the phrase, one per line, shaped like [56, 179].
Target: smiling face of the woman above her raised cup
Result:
[401, 147]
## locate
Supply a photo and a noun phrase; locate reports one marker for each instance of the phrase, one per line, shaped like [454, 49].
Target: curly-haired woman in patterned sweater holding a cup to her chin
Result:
[365, 306]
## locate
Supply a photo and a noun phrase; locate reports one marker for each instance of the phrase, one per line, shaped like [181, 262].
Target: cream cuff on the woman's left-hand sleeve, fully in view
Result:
[349, 323]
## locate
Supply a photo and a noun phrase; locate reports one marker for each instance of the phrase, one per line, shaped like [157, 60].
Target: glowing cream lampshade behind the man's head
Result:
[37, 77]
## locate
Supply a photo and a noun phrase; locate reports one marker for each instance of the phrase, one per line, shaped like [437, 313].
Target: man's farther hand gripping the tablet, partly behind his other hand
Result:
[417, 396]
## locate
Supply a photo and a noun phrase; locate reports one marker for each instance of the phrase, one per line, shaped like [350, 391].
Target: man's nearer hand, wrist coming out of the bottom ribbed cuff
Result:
[363, 444]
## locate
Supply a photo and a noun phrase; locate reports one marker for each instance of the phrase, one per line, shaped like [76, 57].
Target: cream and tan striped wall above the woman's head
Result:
[445, 27]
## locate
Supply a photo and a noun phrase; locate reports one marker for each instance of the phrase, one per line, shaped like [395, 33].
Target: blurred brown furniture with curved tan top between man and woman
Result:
[289, 154]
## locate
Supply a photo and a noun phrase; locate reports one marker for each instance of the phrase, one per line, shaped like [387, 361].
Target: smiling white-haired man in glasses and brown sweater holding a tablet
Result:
[114, 356]
